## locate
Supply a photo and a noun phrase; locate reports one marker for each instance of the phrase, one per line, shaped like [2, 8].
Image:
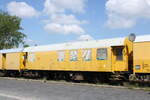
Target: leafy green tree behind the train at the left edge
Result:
[10, 35]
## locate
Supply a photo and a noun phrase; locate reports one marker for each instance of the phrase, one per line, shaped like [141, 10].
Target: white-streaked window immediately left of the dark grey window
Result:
[86, 54]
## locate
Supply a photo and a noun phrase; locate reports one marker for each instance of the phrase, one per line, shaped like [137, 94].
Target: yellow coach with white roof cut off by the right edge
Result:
[141, 58]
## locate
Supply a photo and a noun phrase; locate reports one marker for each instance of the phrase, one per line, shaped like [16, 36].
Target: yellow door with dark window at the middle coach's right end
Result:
[119, 62]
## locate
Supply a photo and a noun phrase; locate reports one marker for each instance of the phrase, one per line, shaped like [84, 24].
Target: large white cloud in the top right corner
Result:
[126, 13]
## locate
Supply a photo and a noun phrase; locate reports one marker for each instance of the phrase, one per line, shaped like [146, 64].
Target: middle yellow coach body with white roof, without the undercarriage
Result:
[108, 55]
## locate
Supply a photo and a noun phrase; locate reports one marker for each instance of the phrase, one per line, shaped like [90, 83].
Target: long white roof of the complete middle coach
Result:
[77, 45]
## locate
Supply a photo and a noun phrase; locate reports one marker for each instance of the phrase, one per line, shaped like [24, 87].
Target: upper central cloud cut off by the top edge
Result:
[59, 6]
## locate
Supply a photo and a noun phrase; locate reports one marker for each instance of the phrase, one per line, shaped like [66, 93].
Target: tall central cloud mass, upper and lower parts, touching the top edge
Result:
[59, 21]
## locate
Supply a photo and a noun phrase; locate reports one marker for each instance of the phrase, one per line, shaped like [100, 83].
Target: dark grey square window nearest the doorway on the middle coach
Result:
[102, 54]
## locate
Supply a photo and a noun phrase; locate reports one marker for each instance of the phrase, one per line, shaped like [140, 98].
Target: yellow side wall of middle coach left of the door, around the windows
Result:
[48, 61]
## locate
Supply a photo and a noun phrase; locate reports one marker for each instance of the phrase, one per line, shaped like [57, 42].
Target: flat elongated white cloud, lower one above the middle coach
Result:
[64, 29]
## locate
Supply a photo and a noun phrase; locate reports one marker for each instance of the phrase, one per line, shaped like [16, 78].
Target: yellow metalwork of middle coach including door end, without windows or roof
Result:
[48, 61]
